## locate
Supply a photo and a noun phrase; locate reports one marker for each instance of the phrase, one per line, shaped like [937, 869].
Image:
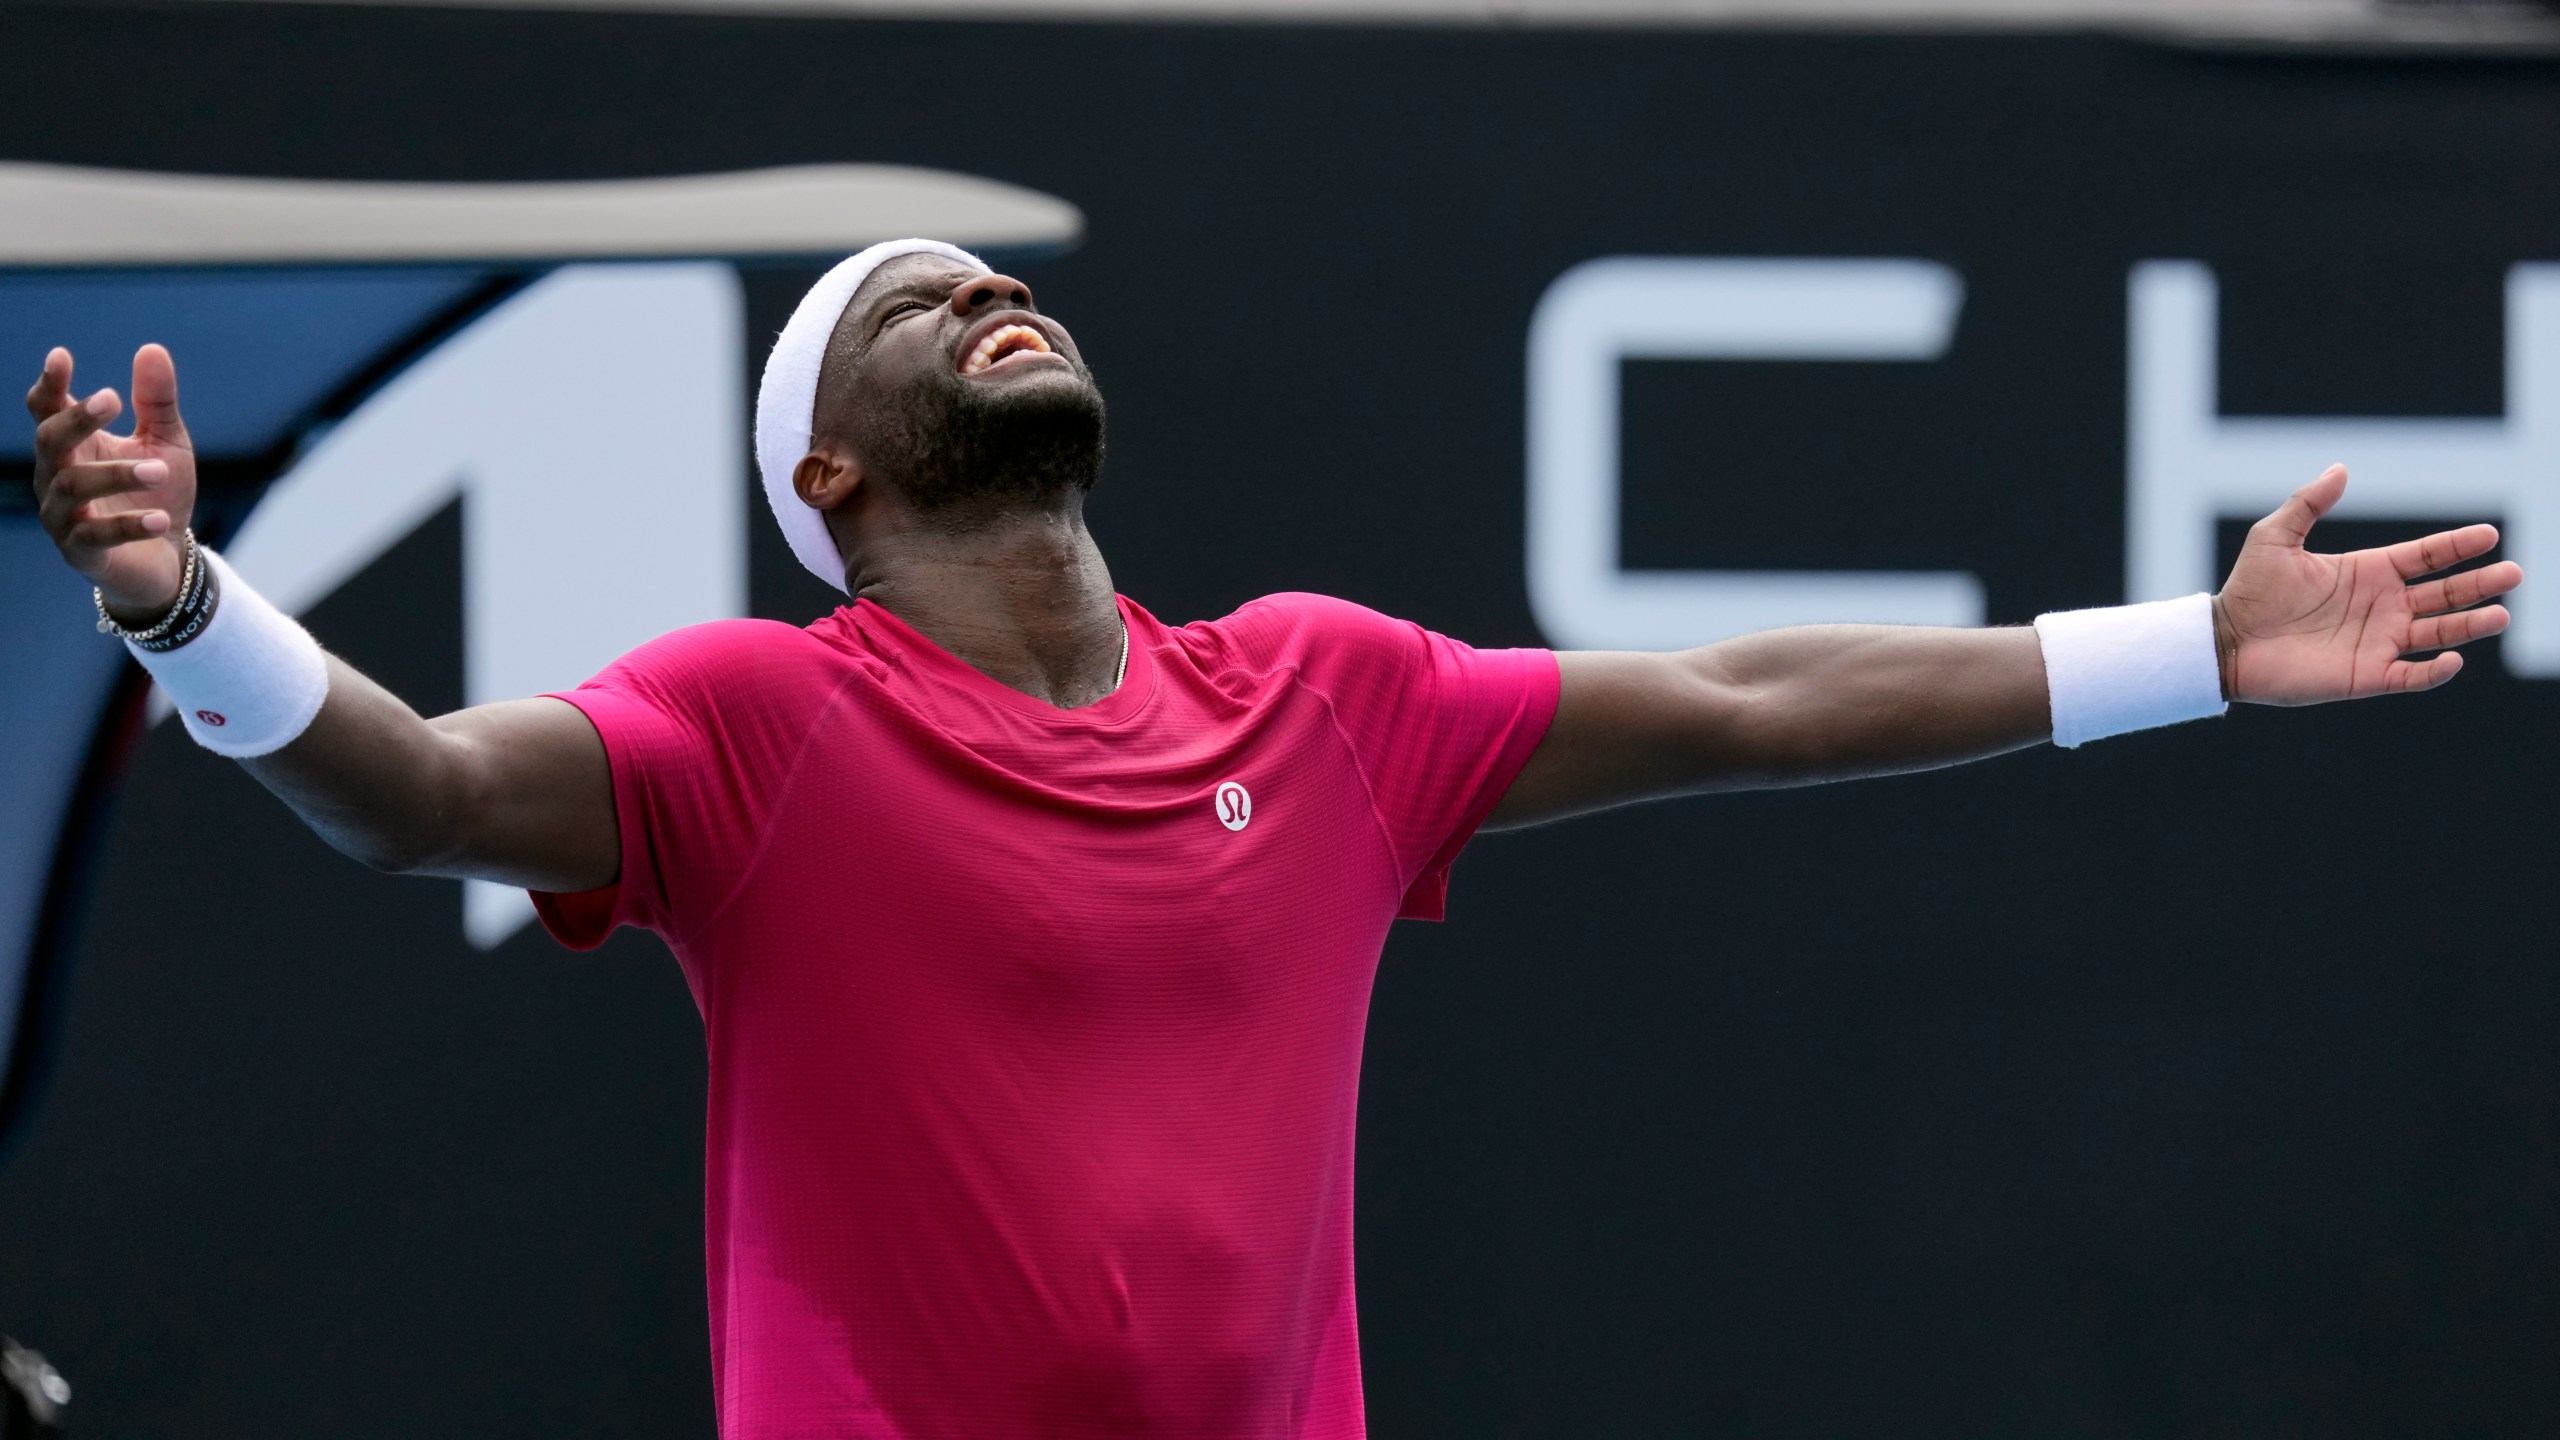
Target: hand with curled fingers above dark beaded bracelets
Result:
[116, 503]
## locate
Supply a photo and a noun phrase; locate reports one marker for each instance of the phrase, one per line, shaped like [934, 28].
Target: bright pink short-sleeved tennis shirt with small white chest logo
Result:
[1036, 1034]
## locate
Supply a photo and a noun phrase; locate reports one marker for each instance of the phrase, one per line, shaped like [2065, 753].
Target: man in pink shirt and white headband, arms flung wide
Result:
[1033, 937]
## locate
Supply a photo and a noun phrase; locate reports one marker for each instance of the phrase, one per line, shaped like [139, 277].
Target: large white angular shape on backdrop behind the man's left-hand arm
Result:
[595, 432]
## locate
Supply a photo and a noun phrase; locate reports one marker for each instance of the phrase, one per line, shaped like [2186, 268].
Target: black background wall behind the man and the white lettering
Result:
[2198, 1083]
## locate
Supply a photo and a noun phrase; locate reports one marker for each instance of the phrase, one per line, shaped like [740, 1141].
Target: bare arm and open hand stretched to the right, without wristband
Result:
[1855, 701]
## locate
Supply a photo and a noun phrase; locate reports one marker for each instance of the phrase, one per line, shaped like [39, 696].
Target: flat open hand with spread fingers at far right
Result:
[2300, 629]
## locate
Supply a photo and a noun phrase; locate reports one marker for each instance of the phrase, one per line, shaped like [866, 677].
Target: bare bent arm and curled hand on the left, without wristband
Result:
[516, 793]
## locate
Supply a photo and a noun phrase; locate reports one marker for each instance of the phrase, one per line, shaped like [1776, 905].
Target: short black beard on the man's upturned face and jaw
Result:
[964, 455]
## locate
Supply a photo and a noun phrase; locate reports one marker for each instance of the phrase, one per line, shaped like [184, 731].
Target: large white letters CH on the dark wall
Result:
[2188, 465]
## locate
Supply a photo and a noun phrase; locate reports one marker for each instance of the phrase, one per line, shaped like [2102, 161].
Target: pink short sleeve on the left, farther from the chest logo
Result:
[695, 729]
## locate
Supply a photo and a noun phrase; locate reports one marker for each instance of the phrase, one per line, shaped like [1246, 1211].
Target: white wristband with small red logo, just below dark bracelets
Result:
[250, 683]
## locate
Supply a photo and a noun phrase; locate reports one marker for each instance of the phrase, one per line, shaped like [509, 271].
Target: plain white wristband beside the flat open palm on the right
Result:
[2131, 667]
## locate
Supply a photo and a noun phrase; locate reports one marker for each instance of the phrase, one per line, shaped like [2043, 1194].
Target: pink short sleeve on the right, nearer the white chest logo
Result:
[1440, 729]
